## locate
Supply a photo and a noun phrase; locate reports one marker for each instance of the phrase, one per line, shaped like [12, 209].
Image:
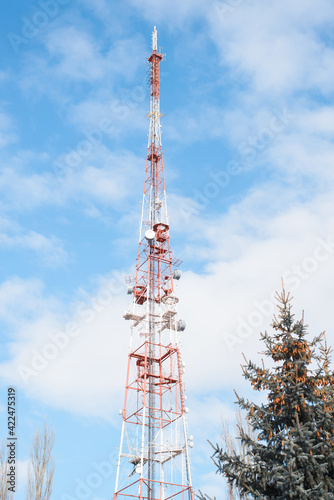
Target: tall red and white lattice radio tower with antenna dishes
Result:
[153, 460]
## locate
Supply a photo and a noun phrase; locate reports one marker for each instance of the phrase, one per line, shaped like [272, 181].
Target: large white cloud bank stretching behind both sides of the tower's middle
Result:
[225, 307]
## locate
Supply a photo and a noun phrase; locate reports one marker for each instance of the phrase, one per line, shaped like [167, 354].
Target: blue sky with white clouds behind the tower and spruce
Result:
[247, 92]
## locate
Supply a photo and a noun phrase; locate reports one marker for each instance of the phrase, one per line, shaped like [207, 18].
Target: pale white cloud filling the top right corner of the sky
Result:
[277, 45]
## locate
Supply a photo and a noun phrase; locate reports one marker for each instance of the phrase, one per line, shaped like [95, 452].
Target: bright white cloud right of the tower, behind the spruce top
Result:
[249, 250]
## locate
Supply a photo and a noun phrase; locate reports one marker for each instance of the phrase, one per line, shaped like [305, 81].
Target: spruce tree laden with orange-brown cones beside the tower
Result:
[292, 455]
